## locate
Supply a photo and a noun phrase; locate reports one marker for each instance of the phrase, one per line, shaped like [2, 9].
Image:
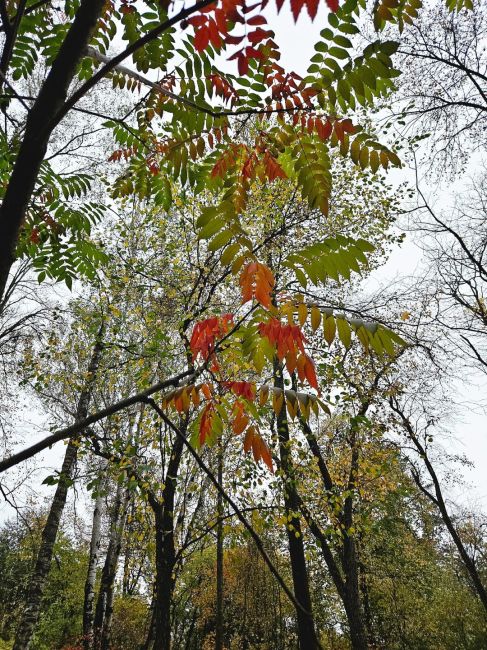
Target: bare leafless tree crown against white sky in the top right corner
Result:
[443, 83]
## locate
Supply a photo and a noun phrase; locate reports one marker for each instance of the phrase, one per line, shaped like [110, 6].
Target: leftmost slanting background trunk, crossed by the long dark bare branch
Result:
[43, 563]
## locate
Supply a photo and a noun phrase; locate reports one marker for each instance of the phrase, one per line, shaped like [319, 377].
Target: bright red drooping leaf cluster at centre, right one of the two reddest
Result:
[289, 342]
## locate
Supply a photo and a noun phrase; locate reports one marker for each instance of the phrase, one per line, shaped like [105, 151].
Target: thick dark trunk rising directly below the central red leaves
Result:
[307, 637]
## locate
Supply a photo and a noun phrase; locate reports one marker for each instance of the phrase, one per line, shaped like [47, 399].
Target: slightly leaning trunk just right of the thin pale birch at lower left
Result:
[104, 603]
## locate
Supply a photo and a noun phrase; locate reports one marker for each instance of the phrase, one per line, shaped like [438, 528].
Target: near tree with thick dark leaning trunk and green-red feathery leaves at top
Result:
[77, 41]
